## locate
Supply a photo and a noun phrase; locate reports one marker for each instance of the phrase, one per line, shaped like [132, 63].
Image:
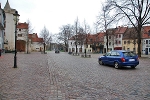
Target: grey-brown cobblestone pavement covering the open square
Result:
[65, 77]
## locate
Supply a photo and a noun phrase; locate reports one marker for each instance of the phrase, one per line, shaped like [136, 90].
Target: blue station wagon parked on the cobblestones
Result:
[119, 58]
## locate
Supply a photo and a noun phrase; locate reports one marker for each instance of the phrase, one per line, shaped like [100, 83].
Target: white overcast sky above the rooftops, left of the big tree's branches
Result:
[54, 13]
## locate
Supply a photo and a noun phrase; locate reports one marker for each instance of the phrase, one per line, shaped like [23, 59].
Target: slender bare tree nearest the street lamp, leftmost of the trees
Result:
[29, 30]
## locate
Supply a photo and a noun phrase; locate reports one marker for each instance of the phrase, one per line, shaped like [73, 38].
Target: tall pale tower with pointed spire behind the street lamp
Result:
[9, 27]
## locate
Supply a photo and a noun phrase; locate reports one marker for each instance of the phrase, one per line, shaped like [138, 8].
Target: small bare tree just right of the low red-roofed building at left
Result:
[46, 37]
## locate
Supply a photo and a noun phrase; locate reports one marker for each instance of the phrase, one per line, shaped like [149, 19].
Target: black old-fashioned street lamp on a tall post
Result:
[16, 20]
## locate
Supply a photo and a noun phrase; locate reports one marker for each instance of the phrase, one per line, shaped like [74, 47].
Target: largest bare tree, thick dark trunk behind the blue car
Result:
[136, 12]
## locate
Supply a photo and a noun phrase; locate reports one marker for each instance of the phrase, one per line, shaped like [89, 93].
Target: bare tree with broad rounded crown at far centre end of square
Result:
[65, 34]
